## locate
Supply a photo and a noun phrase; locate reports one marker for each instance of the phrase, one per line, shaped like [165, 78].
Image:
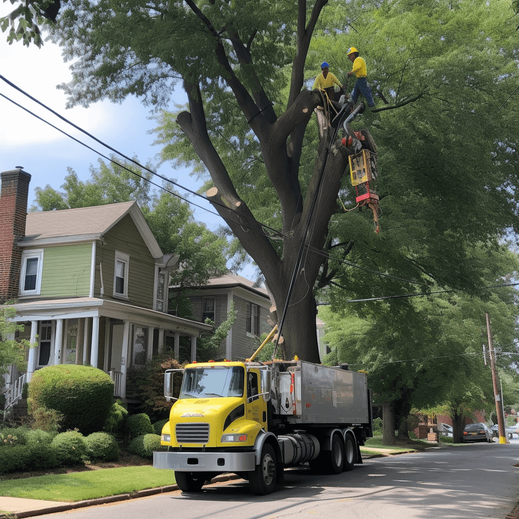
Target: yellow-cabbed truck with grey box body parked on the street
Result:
[254, 419]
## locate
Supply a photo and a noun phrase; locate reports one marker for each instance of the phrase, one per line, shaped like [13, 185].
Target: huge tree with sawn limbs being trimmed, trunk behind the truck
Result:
[249, 122]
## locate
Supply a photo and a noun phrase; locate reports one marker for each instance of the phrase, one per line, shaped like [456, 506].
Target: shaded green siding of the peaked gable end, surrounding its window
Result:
[125, 237]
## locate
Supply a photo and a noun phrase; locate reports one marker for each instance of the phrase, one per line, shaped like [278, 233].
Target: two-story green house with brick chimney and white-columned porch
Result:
[89, 284]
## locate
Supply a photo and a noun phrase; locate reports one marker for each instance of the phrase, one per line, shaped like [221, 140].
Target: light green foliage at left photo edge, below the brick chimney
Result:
[11, 351]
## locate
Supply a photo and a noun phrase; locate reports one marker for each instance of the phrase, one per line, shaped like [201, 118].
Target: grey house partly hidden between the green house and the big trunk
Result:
[251, 304]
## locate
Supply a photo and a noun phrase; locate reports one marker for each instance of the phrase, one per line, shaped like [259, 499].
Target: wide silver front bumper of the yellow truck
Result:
[205, 461]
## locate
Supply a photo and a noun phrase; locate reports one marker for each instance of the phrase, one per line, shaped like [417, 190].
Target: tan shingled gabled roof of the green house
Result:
[84, 224]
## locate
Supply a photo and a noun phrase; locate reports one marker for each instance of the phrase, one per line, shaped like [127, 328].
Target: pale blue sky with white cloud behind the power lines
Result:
[44, 152]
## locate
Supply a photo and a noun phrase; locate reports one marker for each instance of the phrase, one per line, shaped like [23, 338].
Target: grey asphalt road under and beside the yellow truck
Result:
[470, 481]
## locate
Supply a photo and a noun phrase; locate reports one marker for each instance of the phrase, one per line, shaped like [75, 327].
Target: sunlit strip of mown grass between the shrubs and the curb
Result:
[78, 486]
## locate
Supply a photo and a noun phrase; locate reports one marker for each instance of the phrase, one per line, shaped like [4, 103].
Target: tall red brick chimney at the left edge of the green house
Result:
[13, 213]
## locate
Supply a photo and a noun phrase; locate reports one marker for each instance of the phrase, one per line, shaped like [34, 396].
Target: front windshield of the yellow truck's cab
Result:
[212, 382]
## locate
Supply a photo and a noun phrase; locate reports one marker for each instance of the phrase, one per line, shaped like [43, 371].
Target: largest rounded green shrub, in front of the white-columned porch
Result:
[84, 395]
